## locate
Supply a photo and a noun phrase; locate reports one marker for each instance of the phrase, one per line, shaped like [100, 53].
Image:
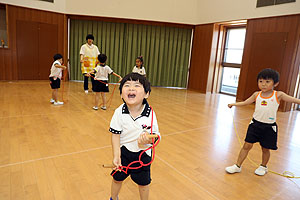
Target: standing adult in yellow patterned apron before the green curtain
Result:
[88, 59]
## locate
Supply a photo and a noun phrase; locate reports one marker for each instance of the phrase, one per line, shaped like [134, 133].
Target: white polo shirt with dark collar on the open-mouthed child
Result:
[130, 129]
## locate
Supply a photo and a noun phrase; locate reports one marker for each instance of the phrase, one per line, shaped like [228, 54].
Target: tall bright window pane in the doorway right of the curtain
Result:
[232, 59]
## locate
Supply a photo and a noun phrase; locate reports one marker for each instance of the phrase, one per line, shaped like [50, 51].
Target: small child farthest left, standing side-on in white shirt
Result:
[55, 76]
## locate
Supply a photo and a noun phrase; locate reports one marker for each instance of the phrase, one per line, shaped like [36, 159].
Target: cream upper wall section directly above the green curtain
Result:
[177, 11]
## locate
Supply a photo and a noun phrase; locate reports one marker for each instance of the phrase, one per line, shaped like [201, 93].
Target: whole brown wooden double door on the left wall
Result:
[36, 45]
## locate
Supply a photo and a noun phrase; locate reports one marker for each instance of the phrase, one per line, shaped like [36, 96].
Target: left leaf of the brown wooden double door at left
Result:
[27, 50]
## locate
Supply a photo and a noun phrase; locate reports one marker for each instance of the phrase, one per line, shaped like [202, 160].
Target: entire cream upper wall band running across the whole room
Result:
[177, 11]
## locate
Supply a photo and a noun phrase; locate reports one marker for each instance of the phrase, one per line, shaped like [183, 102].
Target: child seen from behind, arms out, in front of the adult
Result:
[101, 81]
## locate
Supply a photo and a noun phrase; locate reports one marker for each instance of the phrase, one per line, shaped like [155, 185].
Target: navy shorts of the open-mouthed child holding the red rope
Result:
[140, 176]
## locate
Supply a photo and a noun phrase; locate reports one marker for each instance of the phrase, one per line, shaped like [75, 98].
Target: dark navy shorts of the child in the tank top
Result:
[265, 134]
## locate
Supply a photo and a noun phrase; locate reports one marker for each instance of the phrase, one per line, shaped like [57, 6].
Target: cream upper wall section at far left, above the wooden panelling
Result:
[58, 5]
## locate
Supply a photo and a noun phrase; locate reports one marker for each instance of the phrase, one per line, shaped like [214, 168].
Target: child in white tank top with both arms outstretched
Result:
[263, 127]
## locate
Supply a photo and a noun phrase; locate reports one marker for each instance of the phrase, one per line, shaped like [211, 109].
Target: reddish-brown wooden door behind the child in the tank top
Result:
[267, 51]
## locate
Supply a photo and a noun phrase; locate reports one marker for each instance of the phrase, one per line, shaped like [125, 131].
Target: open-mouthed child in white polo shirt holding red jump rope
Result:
[129, 136]
